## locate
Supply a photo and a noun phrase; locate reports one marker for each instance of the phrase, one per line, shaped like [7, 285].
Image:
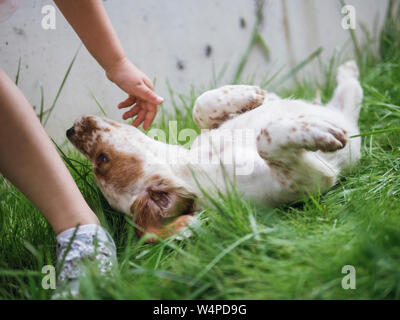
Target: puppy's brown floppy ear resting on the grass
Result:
[160, 203]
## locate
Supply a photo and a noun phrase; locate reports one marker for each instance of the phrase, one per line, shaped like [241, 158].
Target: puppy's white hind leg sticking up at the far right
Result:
[348, 94]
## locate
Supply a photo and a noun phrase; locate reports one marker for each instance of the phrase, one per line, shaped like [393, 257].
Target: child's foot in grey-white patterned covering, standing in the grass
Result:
[91, 242]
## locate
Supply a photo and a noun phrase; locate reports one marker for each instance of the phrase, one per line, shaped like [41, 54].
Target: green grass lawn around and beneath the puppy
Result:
[241, 250]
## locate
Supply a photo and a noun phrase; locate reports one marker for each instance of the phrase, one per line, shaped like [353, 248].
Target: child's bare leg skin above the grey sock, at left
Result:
[30, 161]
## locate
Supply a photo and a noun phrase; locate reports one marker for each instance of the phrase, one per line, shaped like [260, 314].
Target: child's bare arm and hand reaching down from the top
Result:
[90, 21]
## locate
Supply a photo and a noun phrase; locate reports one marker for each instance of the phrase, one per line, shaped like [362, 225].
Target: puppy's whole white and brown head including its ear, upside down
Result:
[149, 191]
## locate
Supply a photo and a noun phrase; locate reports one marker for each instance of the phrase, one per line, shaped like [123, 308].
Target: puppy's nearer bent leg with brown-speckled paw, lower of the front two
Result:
[283, 144]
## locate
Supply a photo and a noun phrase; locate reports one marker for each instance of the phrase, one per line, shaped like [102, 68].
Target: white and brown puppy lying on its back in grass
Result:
[275, 150]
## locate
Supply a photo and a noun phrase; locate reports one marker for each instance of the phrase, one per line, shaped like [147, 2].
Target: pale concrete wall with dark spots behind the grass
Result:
[168, 39]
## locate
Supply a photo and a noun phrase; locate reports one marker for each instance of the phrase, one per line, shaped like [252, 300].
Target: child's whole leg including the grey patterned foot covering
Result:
[30, 161]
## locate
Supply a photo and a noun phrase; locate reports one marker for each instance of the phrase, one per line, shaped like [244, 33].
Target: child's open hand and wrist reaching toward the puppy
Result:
[140, 90]
